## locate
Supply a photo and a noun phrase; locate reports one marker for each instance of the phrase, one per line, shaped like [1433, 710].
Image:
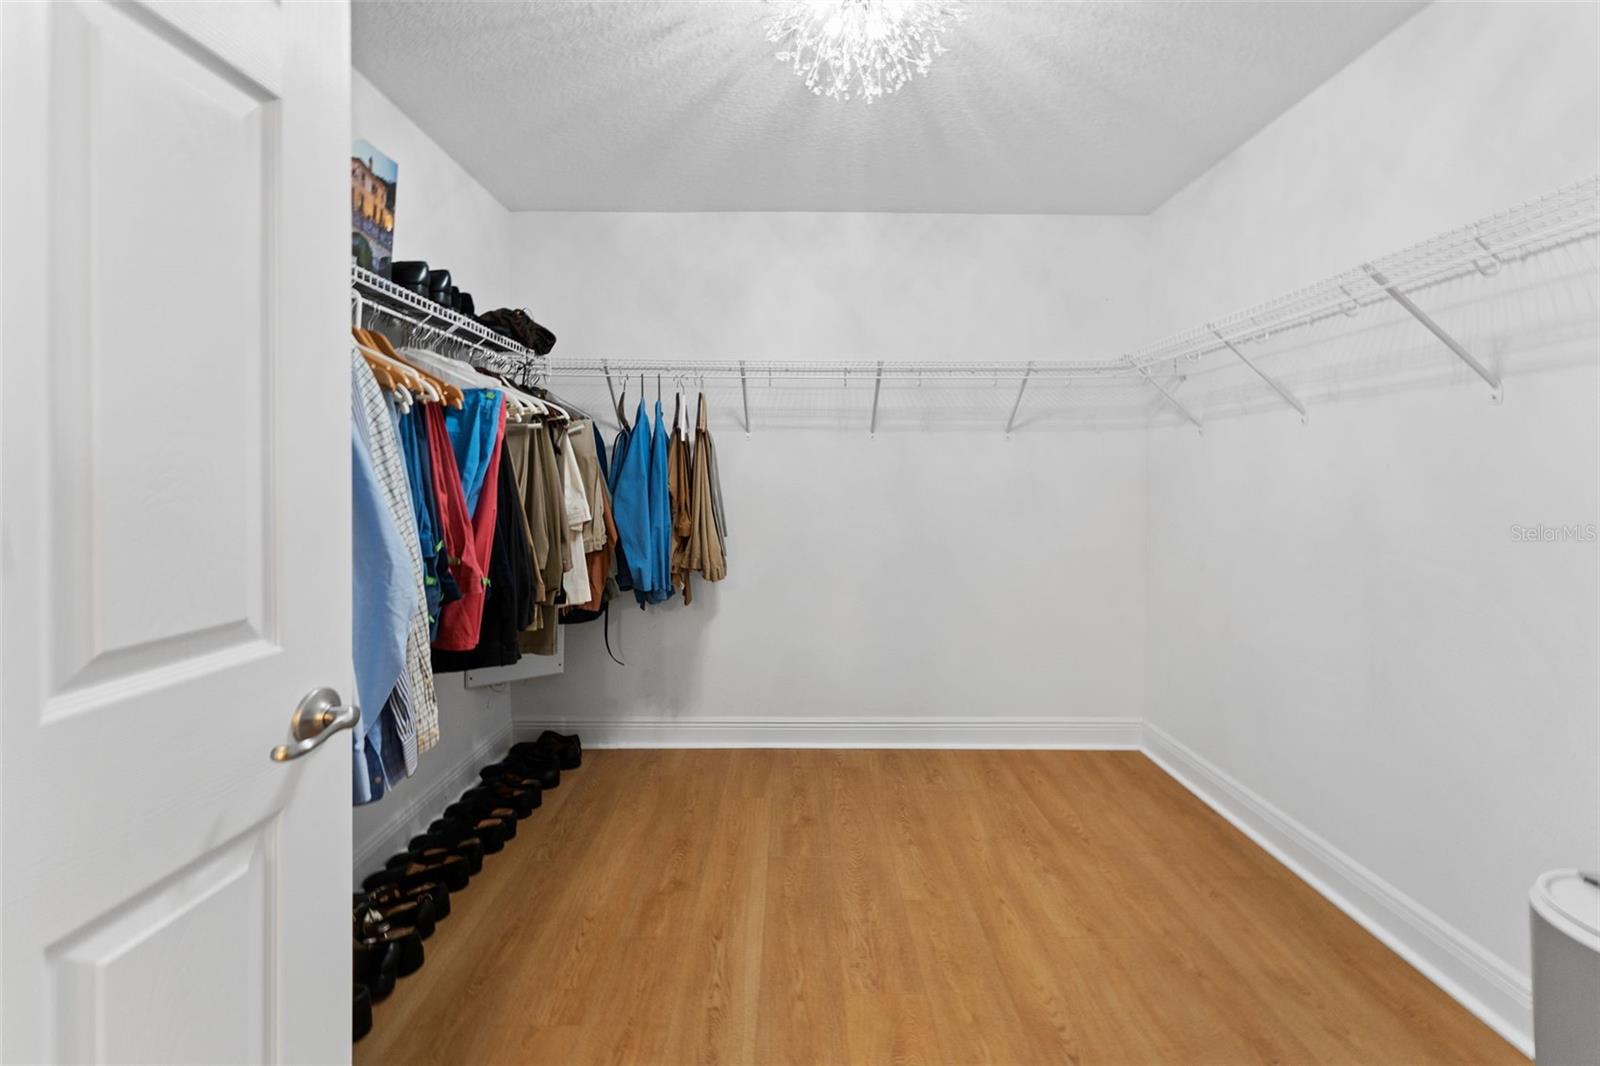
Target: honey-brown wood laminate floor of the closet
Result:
[902, 907]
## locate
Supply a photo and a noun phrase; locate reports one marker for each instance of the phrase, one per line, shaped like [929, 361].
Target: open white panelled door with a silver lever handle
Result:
[174, 531]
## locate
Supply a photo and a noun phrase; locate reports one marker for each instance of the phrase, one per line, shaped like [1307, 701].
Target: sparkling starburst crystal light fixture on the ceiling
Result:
[868, 49]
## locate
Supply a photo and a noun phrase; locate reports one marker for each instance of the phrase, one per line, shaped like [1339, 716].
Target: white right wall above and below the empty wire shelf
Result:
[1340, 617]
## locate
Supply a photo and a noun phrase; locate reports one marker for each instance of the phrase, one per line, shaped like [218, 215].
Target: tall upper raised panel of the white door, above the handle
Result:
[158, 158]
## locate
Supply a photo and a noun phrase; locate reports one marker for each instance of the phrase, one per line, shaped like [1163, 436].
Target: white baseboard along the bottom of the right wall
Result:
[1466, 971]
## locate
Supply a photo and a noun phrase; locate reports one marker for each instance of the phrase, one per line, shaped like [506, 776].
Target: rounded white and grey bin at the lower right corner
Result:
[1566, 907]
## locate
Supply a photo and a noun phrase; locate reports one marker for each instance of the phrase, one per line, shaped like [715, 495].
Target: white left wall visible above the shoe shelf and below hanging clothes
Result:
[447, 218]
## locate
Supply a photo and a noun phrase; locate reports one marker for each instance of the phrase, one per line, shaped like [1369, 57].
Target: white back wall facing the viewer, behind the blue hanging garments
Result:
[921, 575]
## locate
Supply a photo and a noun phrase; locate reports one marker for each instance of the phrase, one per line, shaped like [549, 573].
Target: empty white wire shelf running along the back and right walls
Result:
[1486, 247]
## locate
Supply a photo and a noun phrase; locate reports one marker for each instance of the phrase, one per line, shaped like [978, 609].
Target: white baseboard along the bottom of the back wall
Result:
[770, 732]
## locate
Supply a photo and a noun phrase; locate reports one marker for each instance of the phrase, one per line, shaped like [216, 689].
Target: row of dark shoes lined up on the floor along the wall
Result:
[401, 905]
